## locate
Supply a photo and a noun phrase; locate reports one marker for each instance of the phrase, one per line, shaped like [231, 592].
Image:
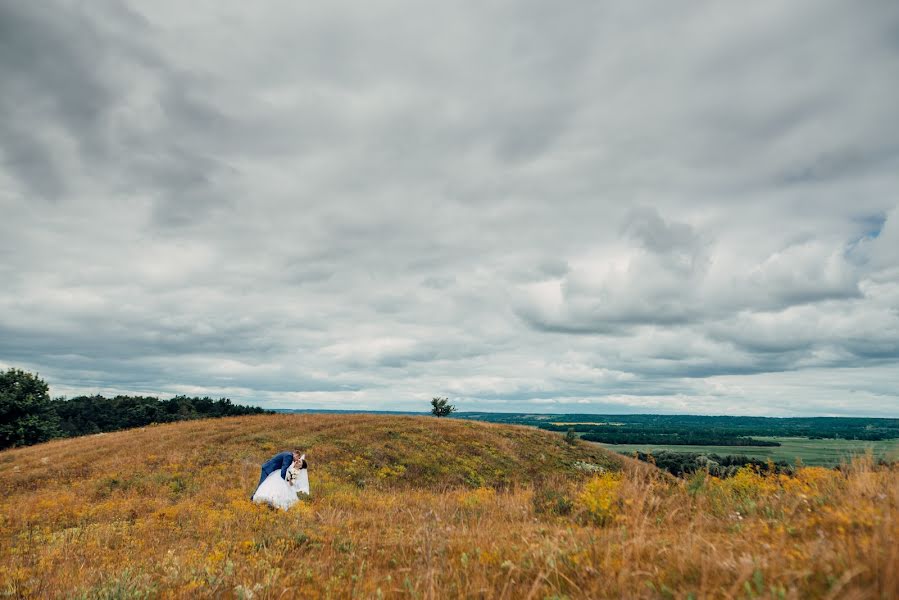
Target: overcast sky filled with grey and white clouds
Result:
[529, 206]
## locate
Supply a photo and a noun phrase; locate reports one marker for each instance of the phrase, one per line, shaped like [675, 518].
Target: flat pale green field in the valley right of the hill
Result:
[826, 452]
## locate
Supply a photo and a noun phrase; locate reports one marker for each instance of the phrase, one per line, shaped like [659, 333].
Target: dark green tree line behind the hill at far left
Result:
[29, 416]
